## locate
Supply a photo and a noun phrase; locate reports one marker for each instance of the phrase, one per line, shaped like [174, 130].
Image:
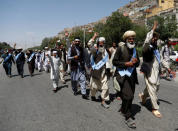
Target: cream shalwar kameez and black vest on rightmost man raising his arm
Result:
[151, 70]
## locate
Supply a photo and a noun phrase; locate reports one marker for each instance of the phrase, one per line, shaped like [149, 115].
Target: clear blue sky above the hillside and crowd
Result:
[27, 22]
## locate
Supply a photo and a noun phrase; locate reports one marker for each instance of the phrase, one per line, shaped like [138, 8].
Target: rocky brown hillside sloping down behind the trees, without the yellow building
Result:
[135, 10]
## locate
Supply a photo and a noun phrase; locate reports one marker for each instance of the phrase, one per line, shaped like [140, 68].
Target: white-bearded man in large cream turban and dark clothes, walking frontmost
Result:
[126, 60]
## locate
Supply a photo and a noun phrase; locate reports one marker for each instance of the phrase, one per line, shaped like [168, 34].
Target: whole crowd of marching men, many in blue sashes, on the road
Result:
[100, 64]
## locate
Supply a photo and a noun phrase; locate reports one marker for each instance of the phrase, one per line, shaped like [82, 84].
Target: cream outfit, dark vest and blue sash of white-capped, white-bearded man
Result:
[99, 78]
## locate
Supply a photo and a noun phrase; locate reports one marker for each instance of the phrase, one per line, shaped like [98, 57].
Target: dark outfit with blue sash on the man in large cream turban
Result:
[126, 76]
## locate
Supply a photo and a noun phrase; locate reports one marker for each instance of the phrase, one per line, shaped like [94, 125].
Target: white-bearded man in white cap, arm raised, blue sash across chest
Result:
[100, 70]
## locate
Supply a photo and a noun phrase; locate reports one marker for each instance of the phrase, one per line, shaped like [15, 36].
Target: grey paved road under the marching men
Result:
[29, 104]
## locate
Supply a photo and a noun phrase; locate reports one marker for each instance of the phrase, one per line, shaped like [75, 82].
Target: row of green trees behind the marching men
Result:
[115, 27]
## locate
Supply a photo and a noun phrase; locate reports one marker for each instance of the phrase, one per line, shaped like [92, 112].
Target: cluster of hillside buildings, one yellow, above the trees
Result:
[139, 11]
